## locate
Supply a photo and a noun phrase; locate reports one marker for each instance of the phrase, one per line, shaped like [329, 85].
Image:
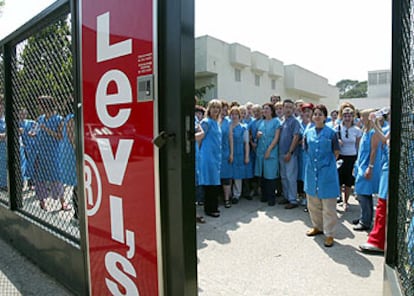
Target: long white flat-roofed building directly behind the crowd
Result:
[237, 73]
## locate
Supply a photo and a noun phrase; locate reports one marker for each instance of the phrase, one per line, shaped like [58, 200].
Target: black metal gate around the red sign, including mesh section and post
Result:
[42, 200]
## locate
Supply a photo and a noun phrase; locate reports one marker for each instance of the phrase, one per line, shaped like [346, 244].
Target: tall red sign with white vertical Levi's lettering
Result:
[117, 52]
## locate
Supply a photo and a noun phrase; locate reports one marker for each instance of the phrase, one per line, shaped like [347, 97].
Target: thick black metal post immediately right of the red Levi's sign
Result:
[176, 115]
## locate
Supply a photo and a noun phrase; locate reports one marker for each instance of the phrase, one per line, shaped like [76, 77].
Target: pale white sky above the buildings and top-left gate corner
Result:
[337, 39]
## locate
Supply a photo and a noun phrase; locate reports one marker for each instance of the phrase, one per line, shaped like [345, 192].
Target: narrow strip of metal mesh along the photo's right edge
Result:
[405, 234]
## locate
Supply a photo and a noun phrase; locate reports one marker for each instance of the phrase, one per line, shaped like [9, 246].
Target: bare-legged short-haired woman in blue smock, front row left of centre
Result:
[239, 152]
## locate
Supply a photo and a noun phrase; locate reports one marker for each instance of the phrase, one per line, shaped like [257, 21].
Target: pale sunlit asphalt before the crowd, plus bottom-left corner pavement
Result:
[251, 249]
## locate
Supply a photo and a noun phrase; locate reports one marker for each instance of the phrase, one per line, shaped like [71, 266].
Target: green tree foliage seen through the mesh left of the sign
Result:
[44, 66]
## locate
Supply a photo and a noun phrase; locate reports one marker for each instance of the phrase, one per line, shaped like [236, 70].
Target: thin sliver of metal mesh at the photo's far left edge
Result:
[4, 196]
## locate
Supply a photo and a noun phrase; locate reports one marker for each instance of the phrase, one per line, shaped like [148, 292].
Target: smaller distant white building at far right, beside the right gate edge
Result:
[379, 91]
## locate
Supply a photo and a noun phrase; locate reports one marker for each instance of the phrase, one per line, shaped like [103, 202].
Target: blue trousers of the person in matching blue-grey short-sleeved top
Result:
[289, 175]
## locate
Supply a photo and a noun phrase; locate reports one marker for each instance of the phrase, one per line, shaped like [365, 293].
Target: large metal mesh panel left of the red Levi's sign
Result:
[42, 87]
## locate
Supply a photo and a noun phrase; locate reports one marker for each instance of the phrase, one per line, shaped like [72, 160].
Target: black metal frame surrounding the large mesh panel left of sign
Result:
[55, 255]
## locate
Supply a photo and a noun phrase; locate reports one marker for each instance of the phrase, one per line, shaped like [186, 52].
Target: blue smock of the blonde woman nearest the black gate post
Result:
[210, 153]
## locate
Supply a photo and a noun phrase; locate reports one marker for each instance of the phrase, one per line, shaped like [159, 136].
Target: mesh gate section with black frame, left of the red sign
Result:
[38, 175]
